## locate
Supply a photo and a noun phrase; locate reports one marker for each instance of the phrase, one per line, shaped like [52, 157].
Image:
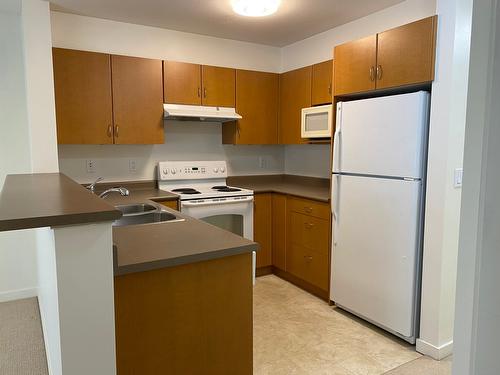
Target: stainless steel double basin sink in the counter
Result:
[143, 213]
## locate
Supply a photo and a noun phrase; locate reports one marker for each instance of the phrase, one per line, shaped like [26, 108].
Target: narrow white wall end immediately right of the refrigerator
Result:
[446, 147]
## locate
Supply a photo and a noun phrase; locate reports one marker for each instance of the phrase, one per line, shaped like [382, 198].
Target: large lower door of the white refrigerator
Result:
[376, 249]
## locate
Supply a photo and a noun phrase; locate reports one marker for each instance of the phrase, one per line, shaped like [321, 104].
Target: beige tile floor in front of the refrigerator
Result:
[296, 333]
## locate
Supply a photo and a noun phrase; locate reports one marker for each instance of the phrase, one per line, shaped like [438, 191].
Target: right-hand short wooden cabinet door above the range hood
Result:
[219, 86]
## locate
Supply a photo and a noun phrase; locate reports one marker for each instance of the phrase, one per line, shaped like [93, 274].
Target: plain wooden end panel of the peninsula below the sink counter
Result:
[189, 319]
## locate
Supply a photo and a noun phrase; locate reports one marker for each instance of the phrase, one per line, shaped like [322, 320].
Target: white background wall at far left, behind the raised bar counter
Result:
[18, 277]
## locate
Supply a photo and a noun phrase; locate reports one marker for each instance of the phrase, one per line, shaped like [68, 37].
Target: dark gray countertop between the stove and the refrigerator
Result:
[300, 186]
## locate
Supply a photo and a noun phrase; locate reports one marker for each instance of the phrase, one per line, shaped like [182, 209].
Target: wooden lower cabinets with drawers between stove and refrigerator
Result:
[299, 234]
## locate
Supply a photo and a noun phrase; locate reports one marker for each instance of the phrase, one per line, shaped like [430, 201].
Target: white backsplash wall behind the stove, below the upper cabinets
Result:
[183, 141]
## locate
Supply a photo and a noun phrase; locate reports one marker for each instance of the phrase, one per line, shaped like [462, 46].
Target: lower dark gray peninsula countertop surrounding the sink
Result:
[147, 247]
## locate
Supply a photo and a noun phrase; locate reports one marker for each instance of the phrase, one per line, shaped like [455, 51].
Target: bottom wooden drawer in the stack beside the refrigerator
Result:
[308, 265]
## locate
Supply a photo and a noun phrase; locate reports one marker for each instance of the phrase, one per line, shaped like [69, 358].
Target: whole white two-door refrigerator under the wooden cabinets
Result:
[380, 152]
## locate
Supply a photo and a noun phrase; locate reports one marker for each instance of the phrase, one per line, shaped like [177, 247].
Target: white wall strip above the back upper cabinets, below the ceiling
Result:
[99, 35]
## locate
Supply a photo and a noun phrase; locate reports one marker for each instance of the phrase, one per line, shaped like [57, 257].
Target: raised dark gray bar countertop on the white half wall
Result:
[49, 199]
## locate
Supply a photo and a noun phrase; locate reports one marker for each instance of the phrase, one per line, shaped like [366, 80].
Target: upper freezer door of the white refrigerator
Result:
[382, 136]
